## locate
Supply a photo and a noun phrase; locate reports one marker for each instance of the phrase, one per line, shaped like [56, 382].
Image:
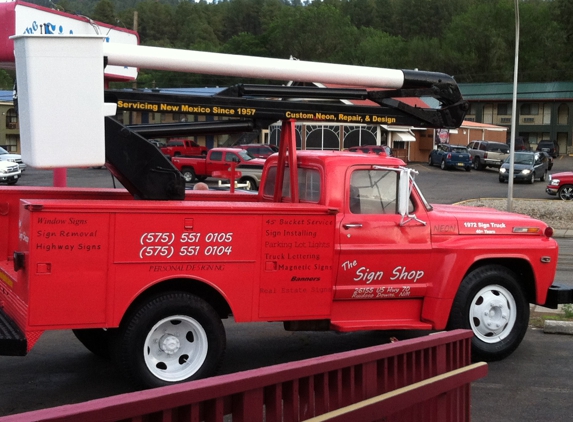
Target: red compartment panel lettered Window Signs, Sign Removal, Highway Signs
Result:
[67, 267]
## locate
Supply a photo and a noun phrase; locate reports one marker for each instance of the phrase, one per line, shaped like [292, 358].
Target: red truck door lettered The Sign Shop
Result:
[379, 257]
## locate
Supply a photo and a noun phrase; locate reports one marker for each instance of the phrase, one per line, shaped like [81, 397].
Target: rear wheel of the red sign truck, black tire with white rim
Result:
[173, 337]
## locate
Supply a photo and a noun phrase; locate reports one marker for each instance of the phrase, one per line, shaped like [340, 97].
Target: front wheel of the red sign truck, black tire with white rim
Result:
[492, 304]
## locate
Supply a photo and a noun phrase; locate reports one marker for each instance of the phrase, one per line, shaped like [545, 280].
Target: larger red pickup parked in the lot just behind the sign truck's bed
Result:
[217, 159]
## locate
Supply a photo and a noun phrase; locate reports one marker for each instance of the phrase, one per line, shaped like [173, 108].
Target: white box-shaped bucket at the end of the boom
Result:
[60, 82]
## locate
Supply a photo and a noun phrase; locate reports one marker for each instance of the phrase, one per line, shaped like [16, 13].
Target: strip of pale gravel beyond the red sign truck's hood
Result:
[557, 214]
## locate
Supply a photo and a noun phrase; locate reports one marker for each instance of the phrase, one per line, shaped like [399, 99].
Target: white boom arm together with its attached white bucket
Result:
[61, 88]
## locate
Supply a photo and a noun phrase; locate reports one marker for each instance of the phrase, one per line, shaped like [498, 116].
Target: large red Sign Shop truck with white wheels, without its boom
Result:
[148, 282]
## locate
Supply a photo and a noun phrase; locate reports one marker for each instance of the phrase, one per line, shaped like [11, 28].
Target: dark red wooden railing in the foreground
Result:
[423, 379]
